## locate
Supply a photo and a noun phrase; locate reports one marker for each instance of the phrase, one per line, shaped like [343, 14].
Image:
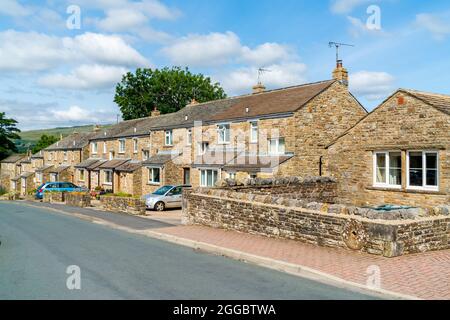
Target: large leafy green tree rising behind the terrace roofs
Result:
[167, 89]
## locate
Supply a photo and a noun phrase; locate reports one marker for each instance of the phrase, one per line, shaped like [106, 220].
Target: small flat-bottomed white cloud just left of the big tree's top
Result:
[85, 77]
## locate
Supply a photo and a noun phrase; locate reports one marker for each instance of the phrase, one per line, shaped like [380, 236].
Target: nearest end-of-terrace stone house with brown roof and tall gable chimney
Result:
[275, 133]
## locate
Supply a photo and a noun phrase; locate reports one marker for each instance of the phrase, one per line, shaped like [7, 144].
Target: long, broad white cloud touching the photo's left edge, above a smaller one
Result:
[32, 51]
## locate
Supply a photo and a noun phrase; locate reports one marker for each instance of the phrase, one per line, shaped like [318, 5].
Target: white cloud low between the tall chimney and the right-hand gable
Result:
[371, 85]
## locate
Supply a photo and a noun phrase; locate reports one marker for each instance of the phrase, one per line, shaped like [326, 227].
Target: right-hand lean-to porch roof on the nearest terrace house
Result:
[255, 162]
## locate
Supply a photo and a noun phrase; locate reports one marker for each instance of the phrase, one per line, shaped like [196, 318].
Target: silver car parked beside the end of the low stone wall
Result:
[165, 197]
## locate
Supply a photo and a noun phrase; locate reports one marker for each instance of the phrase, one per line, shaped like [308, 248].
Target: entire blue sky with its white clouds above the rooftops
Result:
[52, 75]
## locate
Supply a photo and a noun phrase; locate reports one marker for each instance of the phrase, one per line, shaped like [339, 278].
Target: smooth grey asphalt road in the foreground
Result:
[38, 245]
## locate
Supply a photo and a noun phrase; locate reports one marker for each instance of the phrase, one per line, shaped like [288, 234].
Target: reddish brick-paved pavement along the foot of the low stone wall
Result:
[425, 276]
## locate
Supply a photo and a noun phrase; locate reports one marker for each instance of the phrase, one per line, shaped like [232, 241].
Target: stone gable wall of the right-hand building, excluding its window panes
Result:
[411, 126]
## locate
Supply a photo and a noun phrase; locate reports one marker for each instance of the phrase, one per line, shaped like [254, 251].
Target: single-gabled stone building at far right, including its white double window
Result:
[398, 154]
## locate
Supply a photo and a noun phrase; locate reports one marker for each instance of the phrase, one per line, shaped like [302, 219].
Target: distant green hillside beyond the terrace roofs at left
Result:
[30, 138]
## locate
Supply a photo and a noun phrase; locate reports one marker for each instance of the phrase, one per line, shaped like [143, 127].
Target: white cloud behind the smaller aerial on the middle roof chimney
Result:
[278, 76]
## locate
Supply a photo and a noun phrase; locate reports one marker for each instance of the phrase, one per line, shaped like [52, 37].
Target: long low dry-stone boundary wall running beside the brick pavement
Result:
[283, 218]
